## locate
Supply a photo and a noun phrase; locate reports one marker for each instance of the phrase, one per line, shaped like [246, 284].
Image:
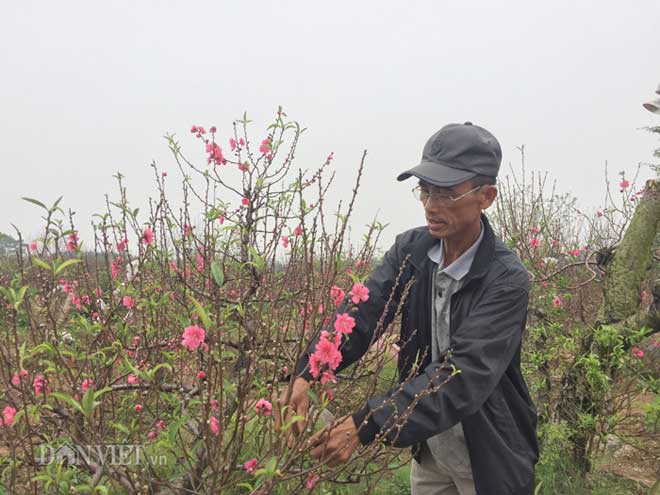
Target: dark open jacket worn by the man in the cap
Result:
[489, 395]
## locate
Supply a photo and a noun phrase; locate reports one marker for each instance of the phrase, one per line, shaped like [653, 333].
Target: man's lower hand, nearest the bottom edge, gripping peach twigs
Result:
[335, 443]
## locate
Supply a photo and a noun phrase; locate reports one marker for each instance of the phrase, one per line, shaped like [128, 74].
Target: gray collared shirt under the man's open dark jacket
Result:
[448, 447]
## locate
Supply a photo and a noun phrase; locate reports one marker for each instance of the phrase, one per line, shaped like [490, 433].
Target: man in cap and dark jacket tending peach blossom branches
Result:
[466, 310]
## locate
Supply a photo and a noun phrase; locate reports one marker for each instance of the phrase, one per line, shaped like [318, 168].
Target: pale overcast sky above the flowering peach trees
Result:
[89, 88]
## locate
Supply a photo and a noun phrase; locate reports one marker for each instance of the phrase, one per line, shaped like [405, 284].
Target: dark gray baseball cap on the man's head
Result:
[456, 153]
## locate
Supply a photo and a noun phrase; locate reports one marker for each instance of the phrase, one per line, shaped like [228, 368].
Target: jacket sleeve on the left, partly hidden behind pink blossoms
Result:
[381, 284]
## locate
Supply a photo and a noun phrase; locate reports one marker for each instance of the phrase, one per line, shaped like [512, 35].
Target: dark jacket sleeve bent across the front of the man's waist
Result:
[481, 349]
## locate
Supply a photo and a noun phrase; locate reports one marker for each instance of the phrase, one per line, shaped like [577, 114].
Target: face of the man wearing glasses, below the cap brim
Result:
[457, 218]
